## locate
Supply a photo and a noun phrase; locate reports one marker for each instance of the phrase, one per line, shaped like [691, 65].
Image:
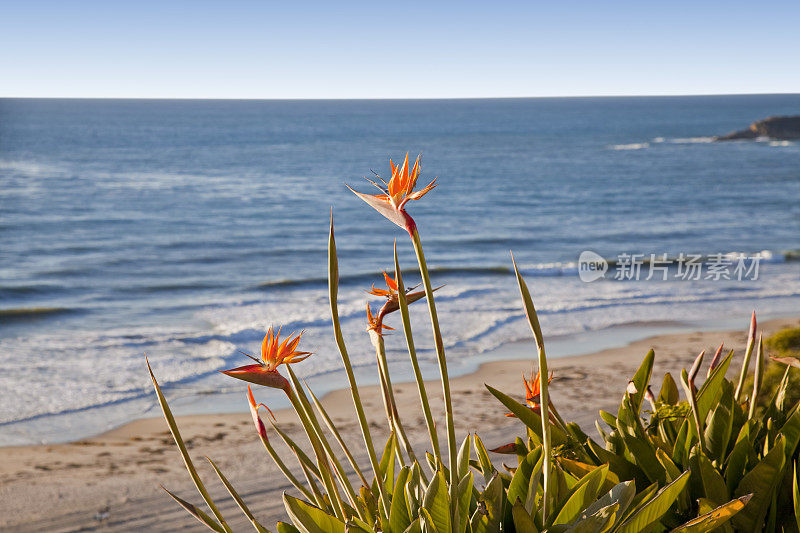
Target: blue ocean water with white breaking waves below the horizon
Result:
[182, 229]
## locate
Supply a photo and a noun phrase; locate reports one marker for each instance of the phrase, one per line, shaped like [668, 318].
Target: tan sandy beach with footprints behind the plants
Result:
[111, 482]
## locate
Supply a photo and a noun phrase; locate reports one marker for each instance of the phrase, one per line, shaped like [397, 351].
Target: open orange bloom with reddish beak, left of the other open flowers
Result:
[273, 354]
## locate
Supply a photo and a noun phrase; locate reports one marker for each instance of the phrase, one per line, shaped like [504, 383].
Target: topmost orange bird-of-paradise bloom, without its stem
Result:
[396, 193]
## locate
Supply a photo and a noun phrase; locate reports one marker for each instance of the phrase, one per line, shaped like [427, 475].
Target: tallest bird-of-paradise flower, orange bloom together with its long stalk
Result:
[397, 192]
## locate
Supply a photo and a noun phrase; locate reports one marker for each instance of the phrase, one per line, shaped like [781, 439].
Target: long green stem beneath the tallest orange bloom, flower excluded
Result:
[440, 355]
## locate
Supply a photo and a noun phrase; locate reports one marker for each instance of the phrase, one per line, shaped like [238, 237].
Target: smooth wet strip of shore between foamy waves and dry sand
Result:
[83, 424]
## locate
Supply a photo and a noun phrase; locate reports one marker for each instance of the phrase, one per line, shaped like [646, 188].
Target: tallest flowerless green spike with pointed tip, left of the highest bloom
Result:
[333, 288]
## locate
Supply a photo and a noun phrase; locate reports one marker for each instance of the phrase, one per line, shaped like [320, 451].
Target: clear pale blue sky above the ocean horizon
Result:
[342, 49]
